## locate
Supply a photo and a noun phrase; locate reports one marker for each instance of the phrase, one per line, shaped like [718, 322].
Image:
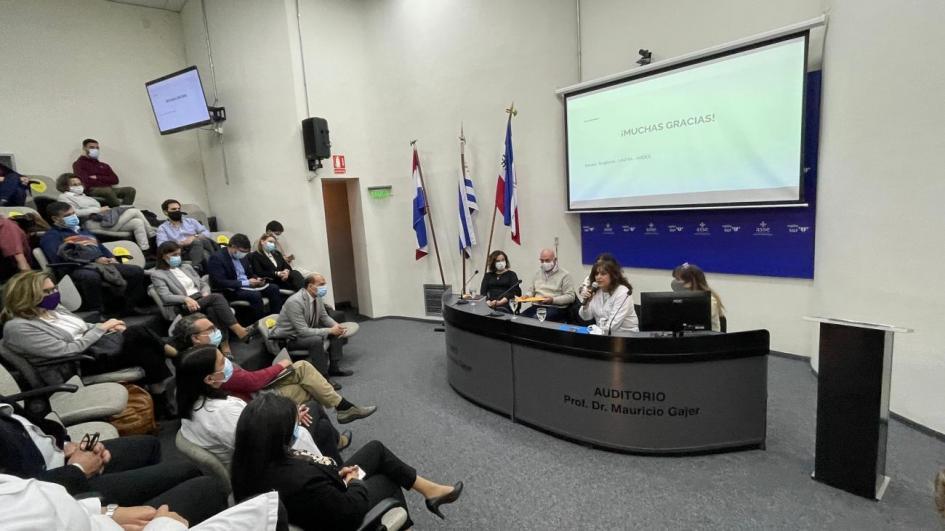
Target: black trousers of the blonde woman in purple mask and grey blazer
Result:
[141, 348]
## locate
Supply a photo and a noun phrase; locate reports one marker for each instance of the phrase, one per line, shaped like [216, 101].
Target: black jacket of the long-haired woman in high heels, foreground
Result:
[315, 496]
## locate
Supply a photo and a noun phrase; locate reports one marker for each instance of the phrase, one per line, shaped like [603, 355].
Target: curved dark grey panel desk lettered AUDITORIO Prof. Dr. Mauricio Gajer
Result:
[642, 392]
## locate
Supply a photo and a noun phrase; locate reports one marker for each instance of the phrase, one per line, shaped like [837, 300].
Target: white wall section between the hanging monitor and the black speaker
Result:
[255, 62]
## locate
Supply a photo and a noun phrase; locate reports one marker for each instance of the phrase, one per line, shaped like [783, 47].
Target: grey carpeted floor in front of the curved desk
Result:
[520, 478]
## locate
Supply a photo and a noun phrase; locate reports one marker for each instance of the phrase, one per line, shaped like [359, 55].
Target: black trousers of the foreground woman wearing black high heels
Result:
[387, 475]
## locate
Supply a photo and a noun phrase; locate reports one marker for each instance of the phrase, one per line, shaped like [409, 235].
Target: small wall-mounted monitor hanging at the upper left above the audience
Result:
[178, 101]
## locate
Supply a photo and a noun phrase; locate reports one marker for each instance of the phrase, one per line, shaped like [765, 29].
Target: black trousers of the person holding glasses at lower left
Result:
[136, 476]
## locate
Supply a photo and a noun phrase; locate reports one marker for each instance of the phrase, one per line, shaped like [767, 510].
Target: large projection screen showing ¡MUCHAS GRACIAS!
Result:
[724, 130]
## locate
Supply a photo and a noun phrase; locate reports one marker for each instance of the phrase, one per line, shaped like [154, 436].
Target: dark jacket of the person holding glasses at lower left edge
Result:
[20, 457]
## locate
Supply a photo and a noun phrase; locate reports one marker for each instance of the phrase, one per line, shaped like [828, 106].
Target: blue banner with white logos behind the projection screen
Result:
[775, 242]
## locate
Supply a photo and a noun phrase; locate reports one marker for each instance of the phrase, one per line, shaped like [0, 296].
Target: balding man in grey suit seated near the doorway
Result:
[303, 324]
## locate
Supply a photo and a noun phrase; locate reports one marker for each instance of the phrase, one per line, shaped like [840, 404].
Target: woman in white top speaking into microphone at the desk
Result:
[610, 304]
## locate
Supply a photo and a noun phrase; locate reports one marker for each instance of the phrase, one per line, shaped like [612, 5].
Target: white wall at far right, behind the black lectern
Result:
[879, 215]
